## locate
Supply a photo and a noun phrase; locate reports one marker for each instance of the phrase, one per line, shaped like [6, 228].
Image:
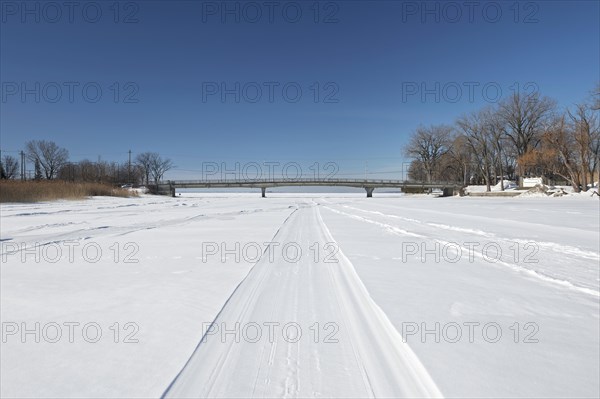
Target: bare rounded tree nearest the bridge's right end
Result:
[428, 145]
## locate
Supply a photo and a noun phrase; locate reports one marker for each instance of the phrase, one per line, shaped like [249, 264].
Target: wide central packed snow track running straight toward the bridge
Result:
[365, 356]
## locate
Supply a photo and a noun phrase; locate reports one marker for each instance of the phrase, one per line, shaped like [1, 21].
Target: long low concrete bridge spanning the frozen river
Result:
[170, 186]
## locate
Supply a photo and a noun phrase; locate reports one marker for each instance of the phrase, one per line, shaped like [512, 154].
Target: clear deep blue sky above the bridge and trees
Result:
[372, 54]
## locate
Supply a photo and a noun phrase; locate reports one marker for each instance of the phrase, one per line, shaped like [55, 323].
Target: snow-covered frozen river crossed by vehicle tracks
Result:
[301, 296]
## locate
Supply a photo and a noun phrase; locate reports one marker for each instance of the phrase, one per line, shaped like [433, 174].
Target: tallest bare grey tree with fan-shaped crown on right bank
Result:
[526, 116]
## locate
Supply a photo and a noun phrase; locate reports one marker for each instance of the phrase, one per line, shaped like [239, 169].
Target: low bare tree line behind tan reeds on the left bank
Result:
[51, 162]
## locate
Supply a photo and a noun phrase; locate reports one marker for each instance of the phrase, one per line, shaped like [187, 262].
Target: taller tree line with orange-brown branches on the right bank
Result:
[521, 136]
